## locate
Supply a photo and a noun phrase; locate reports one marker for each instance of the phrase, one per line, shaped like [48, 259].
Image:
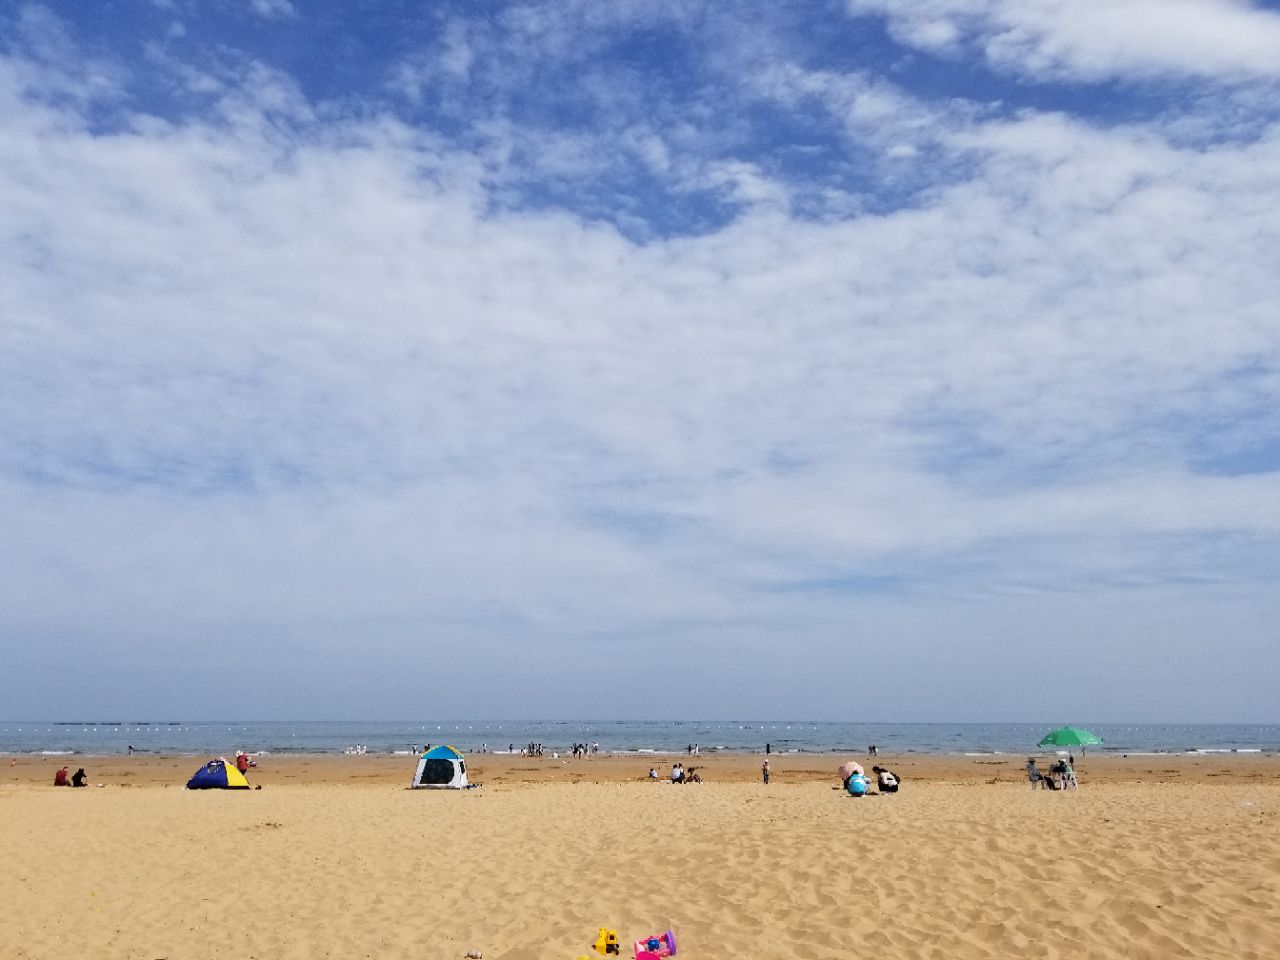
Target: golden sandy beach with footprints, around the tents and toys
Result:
[333, 858]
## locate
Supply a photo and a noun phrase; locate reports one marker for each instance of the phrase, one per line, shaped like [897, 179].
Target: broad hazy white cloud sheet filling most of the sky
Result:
[263, 378]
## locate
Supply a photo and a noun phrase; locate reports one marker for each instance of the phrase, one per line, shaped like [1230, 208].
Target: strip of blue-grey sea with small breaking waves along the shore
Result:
[112, 735]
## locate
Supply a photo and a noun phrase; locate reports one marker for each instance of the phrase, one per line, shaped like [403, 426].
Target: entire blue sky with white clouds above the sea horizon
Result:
[771, 356]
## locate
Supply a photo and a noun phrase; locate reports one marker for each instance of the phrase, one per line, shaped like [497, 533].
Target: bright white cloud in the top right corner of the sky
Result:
[1113, 39]
